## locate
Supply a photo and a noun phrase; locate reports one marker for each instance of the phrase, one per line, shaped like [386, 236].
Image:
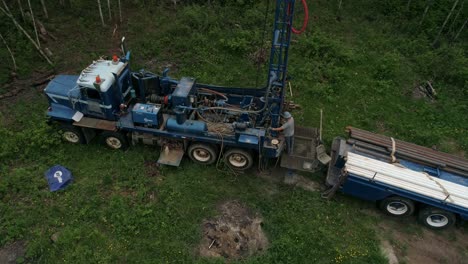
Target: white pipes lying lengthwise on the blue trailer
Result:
[407, 179]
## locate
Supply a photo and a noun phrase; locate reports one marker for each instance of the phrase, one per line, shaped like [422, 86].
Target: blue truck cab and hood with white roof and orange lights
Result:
[97, 92]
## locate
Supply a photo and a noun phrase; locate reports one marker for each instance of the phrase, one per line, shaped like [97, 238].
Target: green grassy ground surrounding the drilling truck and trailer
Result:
[121, 208]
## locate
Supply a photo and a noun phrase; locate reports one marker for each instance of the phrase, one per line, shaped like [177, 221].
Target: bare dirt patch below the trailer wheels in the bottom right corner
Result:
[425, 246]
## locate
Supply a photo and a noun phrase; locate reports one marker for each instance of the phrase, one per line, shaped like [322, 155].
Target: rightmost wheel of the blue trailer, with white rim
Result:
[436, 218]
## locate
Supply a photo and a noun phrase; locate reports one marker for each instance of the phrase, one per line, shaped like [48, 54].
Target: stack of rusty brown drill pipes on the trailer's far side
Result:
[407, 151]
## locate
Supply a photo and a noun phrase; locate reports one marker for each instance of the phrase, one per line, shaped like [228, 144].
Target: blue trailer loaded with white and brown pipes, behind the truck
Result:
[401, 177]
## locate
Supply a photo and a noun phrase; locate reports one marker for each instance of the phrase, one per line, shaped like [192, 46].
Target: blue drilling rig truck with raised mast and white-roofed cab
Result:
[204, 121]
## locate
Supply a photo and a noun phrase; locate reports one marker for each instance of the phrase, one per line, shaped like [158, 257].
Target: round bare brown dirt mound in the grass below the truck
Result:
[236, 233]
